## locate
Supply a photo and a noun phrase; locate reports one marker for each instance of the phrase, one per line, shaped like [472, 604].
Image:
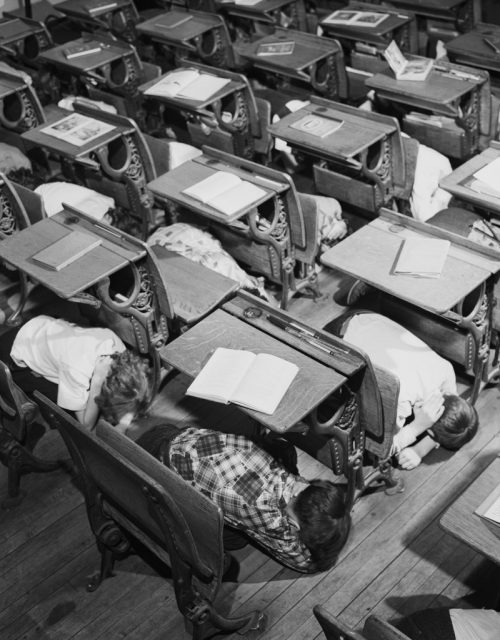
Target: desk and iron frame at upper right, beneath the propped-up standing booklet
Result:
[442, 93]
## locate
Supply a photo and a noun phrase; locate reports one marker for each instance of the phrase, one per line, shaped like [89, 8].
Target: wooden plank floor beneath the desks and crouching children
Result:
[397, 559]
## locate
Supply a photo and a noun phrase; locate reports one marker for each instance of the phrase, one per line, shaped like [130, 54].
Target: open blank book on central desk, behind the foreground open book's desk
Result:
[226, 192]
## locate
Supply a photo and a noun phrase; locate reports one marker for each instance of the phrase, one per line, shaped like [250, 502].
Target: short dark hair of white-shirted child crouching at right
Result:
[457, 425]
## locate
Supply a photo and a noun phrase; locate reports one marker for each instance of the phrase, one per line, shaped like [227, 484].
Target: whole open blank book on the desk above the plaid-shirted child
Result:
[255, 381]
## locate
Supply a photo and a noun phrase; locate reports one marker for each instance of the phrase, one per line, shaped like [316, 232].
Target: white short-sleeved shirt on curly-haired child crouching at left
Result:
[64, 354]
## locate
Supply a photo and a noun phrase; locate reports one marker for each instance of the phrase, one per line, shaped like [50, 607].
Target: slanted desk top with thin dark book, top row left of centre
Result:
[195, 24]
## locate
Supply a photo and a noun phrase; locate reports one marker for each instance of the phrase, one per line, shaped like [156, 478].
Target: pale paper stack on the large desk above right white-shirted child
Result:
[422, 257]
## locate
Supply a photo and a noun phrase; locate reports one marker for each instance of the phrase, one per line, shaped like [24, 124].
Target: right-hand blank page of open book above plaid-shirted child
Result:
[265, 383]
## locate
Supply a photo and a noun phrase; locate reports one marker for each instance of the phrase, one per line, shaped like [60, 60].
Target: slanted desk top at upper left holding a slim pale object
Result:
[109, 51]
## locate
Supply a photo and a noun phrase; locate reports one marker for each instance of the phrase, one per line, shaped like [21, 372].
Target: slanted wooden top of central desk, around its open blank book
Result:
[170, 185]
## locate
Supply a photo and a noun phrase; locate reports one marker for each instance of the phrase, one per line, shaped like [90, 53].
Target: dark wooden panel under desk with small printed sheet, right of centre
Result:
[347, 189]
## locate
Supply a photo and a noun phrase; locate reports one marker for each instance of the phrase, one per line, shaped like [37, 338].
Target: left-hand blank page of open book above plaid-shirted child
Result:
[221, 375]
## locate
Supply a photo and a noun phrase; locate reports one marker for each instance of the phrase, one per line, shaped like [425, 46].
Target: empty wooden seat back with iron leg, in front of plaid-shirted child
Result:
[127, 490]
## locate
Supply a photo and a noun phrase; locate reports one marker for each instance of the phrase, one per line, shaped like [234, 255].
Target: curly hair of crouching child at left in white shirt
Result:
[127, 387]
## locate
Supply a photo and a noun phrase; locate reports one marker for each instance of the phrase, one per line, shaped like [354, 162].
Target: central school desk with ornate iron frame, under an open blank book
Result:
[270, 235]
